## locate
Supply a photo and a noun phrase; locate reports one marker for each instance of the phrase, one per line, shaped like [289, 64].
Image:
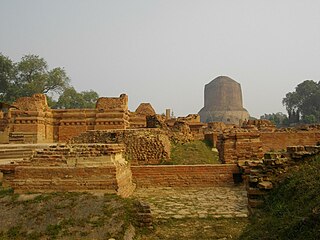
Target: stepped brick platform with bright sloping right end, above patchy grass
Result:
[84, 167]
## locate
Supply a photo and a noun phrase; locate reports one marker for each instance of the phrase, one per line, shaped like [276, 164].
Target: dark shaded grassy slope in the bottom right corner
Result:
[292, 209]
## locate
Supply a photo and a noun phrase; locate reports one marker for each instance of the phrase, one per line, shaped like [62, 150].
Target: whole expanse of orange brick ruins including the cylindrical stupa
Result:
[111, 149]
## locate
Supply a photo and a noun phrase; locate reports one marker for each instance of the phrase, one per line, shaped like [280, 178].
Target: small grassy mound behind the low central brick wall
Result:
[195, 152]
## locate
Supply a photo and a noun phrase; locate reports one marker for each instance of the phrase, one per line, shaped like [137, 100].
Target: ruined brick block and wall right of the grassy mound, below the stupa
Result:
[260, 136]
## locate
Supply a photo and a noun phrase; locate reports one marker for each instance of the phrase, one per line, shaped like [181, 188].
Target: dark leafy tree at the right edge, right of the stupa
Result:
[303, 105]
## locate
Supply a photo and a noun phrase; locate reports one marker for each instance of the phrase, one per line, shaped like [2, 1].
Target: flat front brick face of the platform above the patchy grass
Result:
[50, 179]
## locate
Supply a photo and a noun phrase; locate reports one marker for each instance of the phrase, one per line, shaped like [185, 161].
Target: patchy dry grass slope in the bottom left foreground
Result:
[64, 215]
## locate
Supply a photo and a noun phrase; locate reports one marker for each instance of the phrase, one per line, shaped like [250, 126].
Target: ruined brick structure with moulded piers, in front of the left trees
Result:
[32, 121]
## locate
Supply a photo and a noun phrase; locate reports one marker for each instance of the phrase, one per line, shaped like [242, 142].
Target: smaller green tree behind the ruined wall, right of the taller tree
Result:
[70, 98]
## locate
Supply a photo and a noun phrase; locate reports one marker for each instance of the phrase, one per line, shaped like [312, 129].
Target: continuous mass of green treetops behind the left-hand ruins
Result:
[32, 75]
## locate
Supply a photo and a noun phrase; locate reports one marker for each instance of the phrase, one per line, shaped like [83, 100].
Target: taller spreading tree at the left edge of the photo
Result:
[29, 76]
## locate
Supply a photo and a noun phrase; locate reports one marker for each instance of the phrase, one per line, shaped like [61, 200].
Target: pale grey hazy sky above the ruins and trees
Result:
[165, 51]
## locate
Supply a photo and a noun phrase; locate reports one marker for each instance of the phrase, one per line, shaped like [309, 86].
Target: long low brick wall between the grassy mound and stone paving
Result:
[184, 175]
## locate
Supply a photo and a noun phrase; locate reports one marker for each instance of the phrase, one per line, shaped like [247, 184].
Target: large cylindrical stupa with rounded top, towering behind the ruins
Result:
[223, 102]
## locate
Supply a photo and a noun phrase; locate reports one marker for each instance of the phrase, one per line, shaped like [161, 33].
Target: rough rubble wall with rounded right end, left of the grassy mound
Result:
[142, 146]
